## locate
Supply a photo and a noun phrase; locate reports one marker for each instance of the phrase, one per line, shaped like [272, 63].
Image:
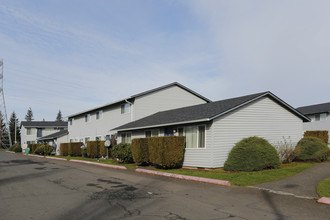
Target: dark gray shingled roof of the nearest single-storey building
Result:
[202, 112]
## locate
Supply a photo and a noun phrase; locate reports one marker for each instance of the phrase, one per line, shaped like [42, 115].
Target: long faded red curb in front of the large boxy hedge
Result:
[184, 177]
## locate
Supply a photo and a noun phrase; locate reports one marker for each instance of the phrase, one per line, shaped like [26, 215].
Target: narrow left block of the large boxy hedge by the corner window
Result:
[140, 151]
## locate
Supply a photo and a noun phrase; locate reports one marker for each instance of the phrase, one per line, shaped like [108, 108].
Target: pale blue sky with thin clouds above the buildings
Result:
[74, 55]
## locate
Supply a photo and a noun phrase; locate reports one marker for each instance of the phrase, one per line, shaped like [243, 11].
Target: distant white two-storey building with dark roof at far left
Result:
[31, 131]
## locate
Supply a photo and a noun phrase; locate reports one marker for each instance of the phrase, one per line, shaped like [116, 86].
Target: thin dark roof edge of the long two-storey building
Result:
[142, 94]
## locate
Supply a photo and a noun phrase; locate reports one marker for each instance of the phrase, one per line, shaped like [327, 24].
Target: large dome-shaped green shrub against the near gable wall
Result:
[252, 154]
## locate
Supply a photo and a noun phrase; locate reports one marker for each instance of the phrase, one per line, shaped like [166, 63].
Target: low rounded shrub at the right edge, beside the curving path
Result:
[308, 146]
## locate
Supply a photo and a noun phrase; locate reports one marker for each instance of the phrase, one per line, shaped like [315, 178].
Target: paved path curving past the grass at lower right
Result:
[302, 184]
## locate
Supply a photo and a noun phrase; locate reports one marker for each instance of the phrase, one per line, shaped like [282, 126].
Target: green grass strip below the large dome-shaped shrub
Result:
[246, 178]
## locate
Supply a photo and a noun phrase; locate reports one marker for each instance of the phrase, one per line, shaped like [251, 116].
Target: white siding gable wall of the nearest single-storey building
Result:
[263, 118]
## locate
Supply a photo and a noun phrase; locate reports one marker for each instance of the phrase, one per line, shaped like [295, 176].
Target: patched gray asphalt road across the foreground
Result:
[37, 188]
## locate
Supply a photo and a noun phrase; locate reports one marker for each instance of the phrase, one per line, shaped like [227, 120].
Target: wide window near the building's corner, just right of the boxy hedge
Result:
[195, 136]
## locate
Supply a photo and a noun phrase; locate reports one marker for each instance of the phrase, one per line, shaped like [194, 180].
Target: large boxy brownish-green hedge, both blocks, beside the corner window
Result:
[164, 152]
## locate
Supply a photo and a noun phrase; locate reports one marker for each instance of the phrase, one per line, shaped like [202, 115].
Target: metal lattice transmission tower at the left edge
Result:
[5, 141]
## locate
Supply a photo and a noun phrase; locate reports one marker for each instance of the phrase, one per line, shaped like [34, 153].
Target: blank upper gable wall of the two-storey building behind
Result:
[169, 98]
